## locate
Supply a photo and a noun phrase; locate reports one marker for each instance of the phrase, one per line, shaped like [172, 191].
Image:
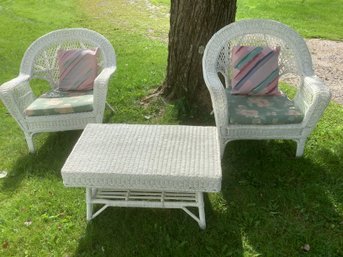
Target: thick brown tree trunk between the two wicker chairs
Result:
[192, 24]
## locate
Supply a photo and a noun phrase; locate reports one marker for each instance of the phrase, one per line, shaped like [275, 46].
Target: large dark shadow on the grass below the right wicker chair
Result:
[282, 203]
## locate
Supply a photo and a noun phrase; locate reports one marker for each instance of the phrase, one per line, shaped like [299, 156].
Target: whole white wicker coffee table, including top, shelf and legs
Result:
[156, 166]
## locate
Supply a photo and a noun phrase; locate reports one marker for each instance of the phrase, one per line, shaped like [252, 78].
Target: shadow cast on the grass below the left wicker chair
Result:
[46, 161]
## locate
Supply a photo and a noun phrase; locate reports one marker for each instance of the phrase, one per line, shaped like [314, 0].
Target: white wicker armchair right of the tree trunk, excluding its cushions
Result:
[295, 62]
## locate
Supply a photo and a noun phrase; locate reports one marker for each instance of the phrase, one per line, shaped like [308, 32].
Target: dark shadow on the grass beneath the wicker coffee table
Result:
[160, 232]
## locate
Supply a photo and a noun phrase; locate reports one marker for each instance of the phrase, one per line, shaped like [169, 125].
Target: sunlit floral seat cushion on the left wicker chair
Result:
[61, 102]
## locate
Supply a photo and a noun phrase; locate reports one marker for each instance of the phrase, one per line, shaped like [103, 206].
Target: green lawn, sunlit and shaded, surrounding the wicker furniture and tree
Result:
[271, 203]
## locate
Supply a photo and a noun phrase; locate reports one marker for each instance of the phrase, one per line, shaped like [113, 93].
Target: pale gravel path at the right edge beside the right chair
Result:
[327, 59]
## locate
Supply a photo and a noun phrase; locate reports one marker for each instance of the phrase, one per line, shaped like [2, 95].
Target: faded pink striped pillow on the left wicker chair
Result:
[77, 69]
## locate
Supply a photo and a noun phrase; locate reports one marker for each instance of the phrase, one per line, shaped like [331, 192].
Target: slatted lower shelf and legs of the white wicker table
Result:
[145, 199]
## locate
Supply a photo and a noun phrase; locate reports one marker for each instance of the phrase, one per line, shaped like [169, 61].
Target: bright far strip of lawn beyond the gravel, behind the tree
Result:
[311, 18]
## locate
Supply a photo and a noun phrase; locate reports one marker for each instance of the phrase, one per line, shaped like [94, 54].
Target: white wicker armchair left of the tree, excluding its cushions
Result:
[39, 61]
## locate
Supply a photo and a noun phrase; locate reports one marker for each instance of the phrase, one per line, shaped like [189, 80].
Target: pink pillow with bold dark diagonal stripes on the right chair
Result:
[255, 70]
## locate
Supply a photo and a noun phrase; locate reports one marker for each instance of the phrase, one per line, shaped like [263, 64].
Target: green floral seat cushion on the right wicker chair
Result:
[262, 110]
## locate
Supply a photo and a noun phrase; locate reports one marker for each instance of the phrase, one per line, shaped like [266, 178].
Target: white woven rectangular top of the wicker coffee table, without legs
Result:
[145, 157]
